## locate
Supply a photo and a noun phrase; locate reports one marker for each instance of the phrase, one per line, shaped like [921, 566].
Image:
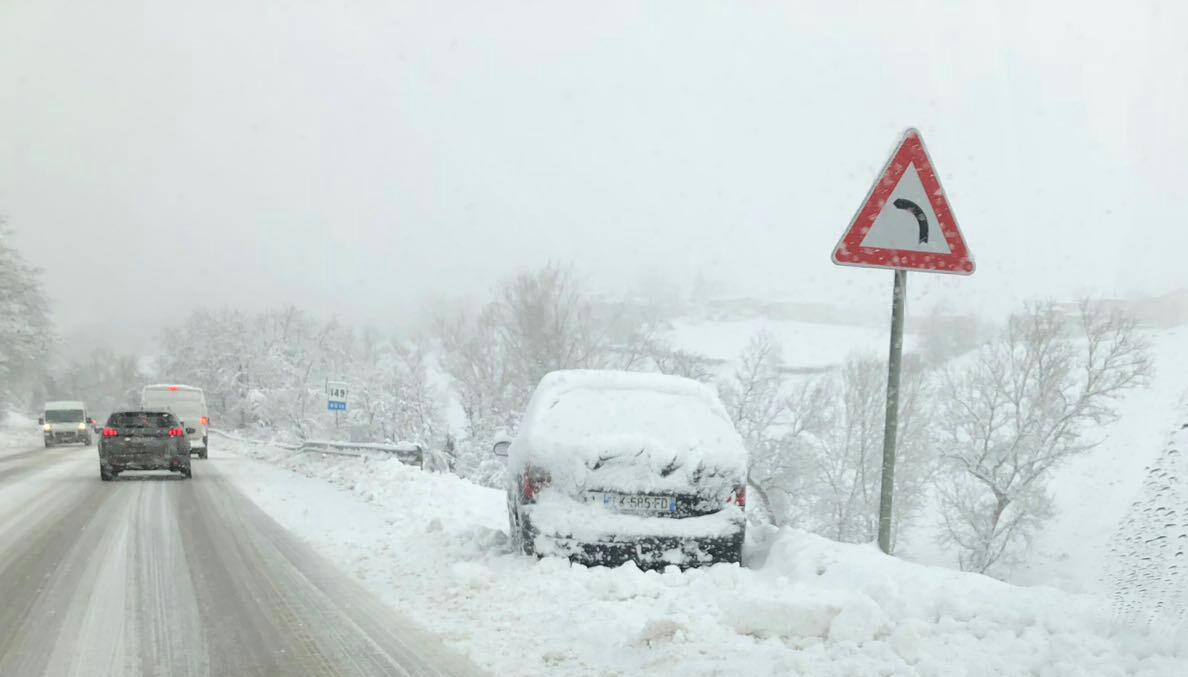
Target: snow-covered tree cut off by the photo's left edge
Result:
[26, 330]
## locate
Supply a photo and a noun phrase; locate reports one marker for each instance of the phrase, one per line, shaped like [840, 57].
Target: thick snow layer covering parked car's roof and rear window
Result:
[636, 432]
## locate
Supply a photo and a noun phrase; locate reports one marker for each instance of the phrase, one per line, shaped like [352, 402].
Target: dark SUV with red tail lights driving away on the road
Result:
[143, 440]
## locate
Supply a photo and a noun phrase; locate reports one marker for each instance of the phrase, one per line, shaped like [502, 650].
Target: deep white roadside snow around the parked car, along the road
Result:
[435, 548]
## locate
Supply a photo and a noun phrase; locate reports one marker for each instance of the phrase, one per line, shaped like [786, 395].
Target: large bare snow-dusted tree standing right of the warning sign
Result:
[1016, 410]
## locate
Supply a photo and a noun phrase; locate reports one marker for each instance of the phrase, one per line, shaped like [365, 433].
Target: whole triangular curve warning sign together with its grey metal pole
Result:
[894, 230]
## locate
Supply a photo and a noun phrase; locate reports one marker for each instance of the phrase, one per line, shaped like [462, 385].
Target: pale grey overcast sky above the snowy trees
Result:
[361, 157]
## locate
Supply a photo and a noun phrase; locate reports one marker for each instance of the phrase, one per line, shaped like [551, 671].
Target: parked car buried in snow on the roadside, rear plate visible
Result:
[615, 467]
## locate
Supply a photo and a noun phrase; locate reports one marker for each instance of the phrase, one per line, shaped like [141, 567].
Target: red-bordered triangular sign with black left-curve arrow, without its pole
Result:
[906, 222]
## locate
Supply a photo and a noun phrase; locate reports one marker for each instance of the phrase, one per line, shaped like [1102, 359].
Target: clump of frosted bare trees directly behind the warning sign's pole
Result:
[817, 444]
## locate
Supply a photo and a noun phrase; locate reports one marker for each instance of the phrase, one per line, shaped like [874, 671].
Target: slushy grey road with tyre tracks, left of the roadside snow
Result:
[154, 575]
